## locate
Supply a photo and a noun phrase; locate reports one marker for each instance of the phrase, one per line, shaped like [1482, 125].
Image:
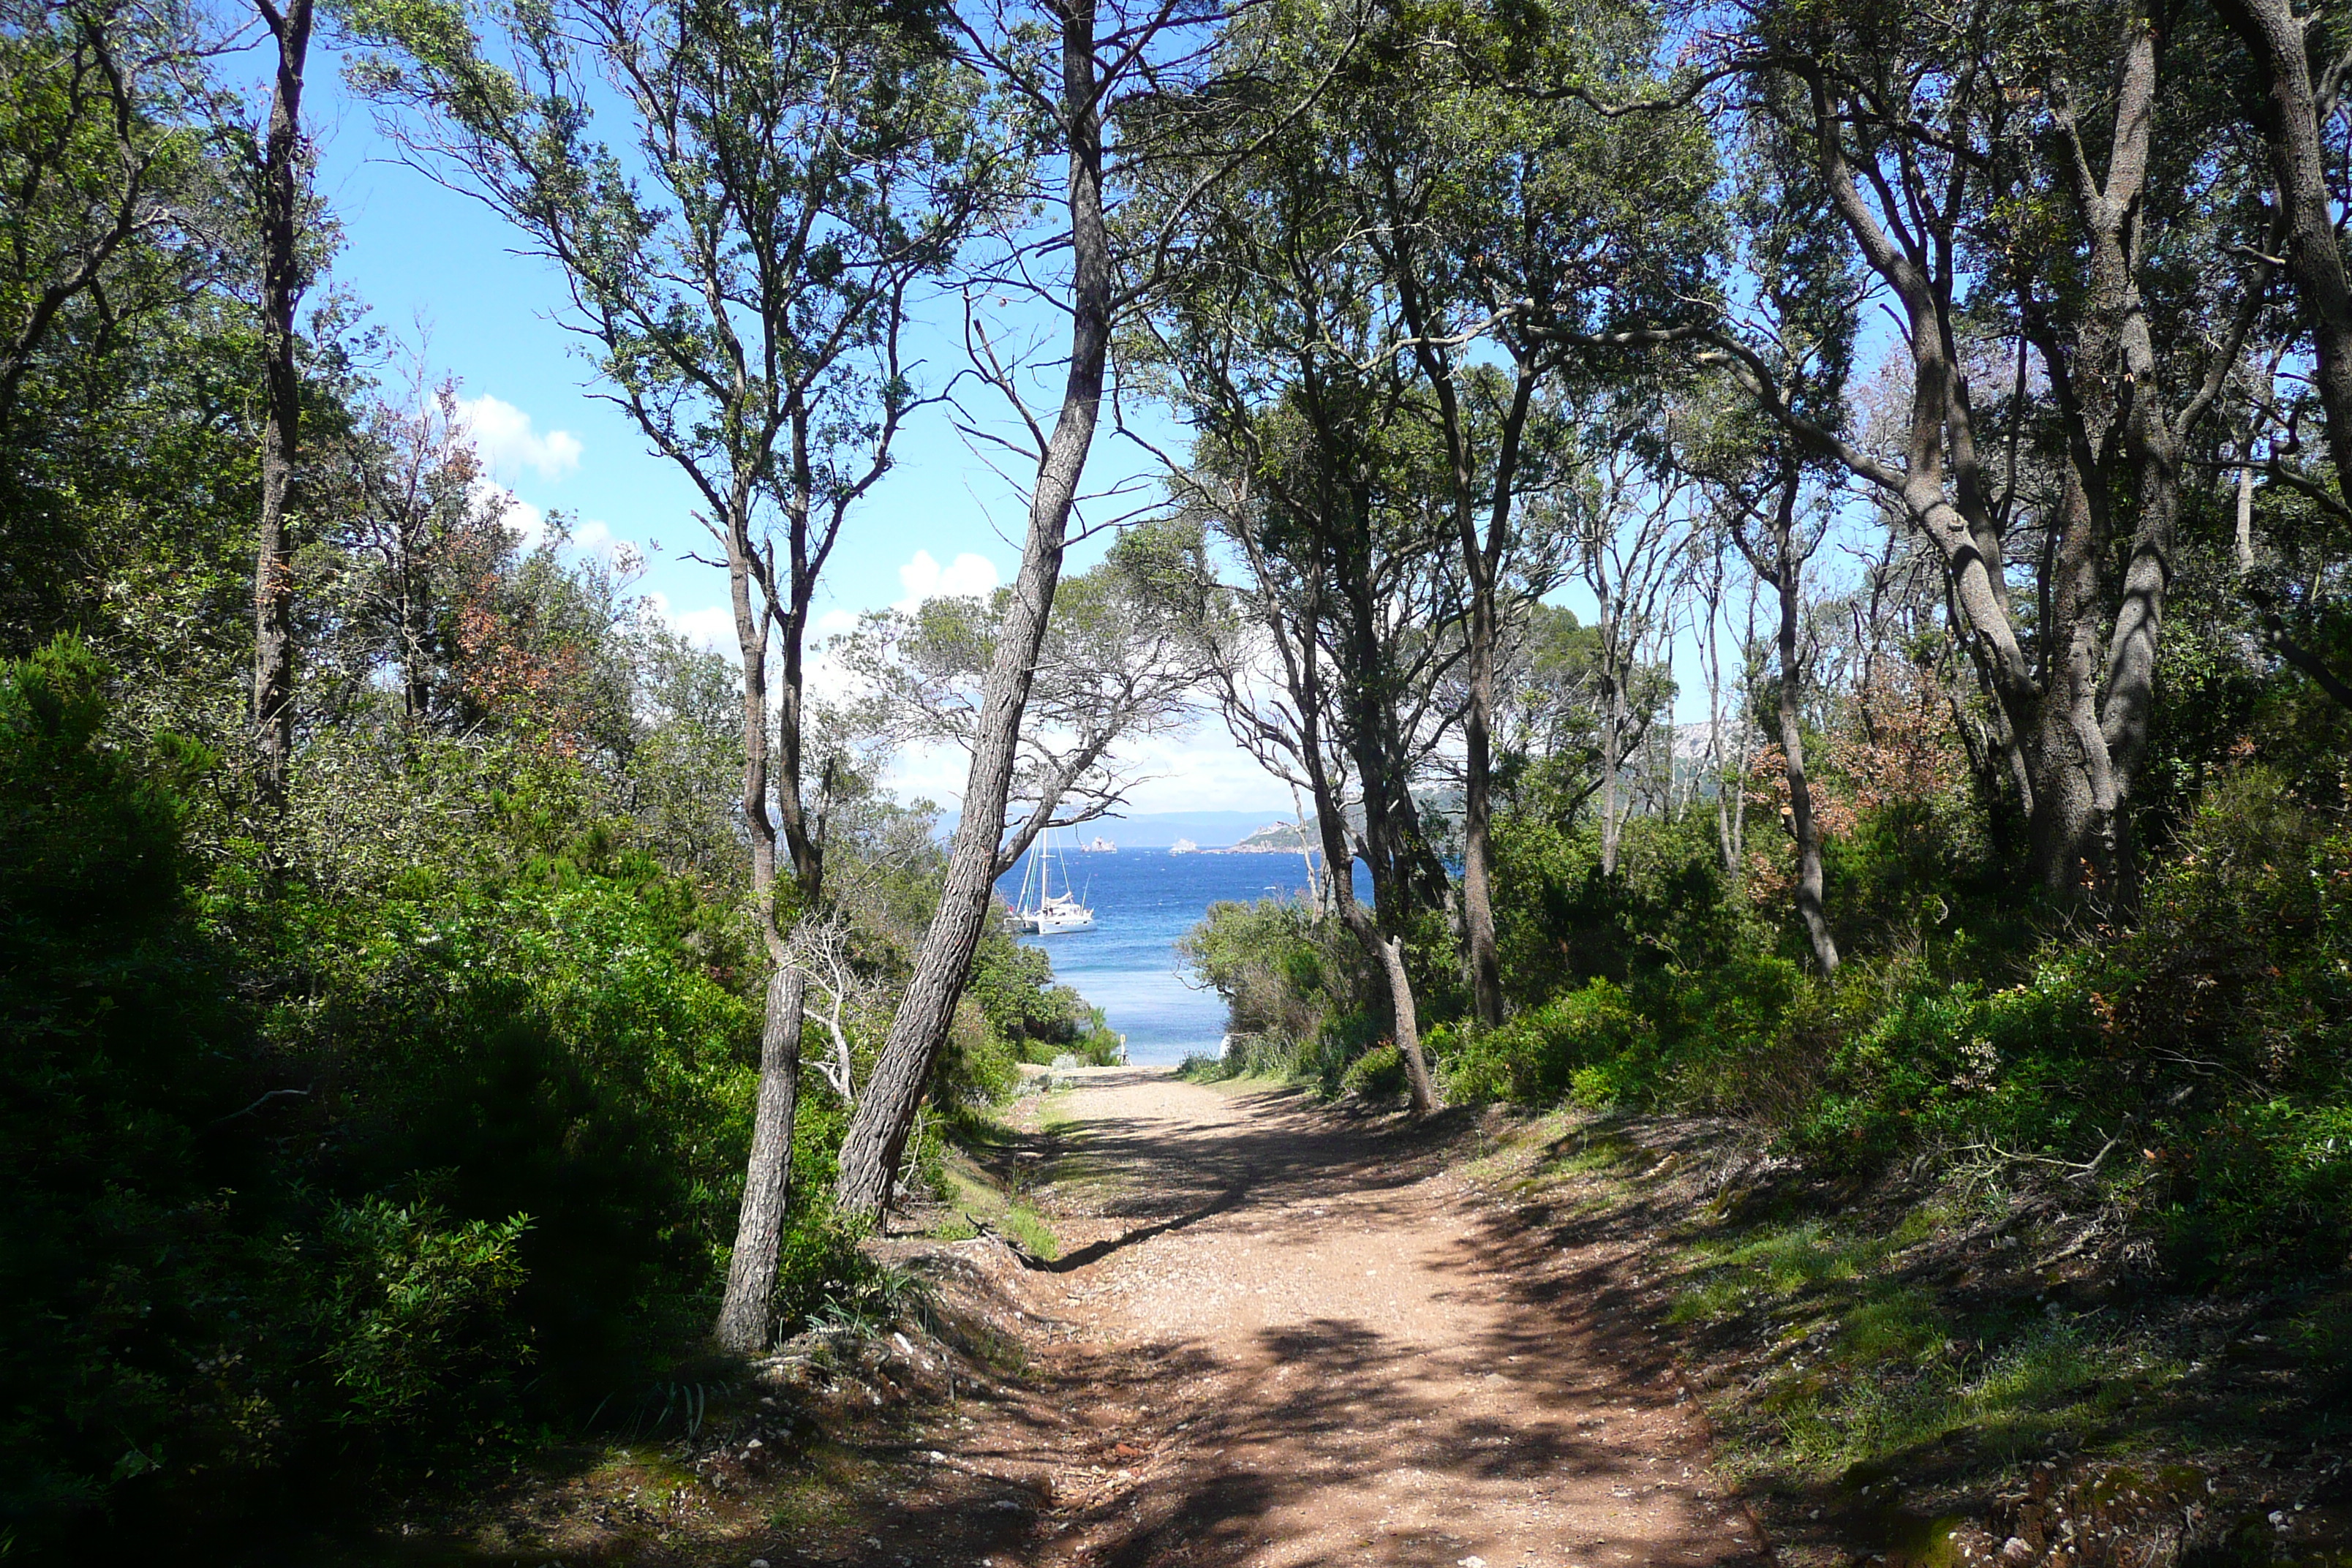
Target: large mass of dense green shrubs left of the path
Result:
[305, 1186]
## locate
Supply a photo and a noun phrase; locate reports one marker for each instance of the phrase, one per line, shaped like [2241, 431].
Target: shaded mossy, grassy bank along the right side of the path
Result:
[1953, 1367]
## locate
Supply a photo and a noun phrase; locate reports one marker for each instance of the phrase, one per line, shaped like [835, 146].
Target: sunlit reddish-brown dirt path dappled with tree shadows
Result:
[1281, 1339]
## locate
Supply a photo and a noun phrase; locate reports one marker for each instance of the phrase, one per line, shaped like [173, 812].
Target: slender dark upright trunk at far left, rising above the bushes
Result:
[281, 293]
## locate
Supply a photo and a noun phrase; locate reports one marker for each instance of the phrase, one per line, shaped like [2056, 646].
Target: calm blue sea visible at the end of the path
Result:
[1128, 965]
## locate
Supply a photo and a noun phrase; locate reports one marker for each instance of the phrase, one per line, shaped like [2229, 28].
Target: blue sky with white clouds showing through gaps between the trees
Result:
[441, 269]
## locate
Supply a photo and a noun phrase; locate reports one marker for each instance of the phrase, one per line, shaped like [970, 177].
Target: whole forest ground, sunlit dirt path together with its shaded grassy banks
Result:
[1234, 1327]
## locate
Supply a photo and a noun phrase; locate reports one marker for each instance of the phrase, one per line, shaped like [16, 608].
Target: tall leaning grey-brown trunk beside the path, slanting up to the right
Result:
[918, 1033]
